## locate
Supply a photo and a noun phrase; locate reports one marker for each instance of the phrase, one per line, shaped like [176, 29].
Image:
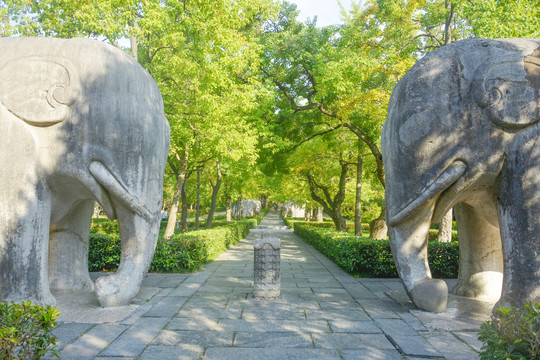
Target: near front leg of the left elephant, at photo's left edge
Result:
[24, 242]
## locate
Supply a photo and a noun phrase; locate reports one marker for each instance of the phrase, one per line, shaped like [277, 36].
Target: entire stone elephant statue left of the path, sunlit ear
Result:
[81, 121]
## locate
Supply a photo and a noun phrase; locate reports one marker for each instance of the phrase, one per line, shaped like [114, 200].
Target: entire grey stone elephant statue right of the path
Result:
[462, 131]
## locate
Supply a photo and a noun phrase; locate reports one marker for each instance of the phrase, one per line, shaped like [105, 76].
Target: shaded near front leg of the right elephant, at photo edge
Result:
[519, 218]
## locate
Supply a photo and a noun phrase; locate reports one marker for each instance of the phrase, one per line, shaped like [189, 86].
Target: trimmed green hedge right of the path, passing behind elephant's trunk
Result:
[366, 257]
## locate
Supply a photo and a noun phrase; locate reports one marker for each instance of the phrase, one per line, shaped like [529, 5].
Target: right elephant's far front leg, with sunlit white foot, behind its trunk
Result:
[480, 256]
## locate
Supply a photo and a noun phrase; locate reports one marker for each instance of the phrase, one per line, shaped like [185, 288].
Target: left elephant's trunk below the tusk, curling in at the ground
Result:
[138, 243]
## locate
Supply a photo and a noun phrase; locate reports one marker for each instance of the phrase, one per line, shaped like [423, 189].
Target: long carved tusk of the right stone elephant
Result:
[447, 178]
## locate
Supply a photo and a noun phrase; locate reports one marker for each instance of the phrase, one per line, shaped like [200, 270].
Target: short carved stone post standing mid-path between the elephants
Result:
[267, 278]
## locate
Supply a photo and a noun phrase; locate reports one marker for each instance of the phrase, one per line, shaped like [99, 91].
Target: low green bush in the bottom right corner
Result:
[512, 333]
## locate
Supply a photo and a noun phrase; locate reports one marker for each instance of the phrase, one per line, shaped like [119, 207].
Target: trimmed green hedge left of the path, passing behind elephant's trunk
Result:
[182, 252]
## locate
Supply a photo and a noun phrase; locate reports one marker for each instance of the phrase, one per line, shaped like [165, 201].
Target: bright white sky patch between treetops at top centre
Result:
[328, 12]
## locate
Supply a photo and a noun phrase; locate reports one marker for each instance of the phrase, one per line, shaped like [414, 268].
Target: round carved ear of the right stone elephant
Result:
[508, 88]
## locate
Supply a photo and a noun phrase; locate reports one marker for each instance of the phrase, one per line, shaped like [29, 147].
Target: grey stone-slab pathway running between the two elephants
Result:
[323, 314]
